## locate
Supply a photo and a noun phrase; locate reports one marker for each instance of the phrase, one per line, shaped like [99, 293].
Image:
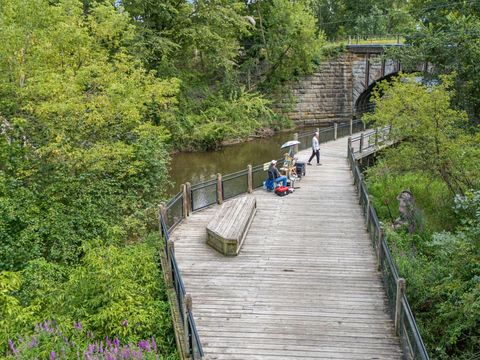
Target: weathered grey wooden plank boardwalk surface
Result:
[304, 285]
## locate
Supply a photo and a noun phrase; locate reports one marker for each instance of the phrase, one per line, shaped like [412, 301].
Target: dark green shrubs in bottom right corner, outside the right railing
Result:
[443, 277]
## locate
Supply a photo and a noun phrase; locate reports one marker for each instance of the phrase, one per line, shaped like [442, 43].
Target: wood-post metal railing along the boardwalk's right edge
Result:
[399, 308]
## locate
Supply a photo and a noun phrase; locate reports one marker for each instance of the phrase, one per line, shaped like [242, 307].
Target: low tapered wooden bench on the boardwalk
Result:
[229, 227]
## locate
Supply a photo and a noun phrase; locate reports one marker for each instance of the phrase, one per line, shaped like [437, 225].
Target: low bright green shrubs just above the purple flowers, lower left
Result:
[114, 291]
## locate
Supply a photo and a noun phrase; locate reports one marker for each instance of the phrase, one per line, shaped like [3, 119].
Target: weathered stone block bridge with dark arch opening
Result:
[340, 88]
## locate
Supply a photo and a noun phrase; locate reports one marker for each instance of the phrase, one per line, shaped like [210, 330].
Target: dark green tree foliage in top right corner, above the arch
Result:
[448, 39]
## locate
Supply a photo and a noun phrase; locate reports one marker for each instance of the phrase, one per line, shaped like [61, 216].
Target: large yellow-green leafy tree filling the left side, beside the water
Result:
[81, 155]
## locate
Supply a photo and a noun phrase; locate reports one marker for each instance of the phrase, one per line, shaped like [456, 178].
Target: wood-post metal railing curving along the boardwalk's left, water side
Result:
[199, 196]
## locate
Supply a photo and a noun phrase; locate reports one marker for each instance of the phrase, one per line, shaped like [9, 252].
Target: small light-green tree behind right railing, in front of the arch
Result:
[435, 143]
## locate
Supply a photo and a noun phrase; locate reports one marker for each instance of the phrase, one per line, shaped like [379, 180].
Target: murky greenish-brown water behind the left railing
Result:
[196, 167]
